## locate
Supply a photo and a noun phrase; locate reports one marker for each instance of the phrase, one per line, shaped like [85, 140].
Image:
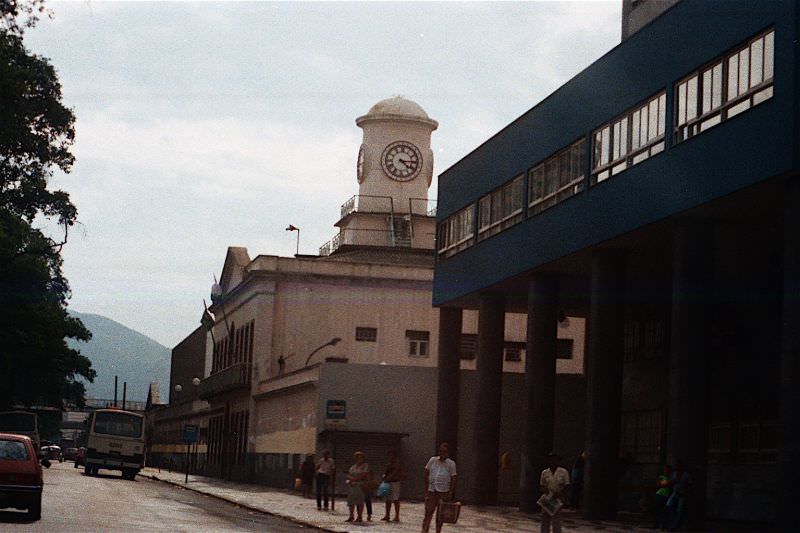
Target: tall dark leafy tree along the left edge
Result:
[36, 134]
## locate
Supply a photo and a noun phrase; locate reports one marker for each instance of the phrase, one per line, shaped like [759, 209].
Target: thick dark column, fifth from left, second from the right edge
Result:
[692, 299]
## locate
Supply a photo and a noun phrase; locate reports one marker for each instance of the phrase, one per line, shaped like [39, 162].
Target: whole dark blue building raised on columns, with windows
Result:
[657, 194]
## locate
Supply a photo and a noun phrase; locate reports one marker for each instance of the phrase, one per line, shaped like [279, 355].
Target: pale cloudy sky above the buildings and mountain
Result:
[203, 125]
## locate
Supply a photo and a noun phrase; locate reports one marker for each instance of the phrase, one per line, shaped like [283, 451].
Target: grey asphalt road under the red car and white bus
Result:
[79, 503]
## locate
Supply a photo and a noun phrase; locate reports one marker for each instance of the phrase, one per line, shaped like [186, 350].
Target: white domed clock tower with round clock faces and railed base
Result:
[394, 171]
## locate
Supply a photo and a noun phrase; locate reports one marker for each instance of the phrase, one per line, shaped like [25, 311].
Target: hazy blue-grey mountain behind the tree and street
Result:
[116, 350]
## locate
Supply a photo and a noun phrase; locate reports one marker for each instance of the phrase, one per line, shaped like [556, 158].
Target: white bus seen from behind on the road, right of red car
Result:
[116, 442]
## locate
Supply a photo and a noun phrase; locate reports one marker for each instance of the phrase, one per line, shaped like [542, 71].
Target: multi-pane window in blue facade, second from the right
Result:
[630, 139]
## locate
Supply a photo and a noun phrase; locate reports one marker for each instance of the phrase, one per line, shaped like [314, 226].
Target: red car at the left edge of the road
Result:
[21, 478]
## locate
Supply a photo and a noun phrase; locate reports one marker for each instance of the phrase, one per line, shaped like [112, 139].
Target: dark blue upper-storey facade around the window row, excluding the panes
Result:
[754, 146]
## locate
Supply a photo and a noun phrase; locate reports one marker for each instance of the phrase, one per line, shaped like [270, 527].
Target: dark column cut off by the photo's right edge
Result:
[788, 491]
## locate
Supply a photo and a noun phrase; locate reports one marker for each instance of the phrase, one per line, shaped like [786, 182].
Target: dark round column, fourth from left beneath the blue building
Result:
[604, 383]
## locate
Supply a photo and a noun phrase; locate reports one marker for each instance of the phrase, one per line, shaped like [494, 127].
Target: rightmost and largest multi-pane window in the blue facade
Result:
[726, 87]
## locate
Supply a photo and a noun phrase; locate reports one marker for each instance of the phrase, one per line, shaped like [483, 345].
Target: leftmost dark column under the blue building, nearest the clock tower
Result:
[447, 394]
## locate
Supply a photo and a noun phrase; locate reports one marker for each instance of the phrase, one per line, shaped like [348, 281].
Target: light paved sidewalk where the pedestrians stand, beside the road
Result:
[304, 511]
